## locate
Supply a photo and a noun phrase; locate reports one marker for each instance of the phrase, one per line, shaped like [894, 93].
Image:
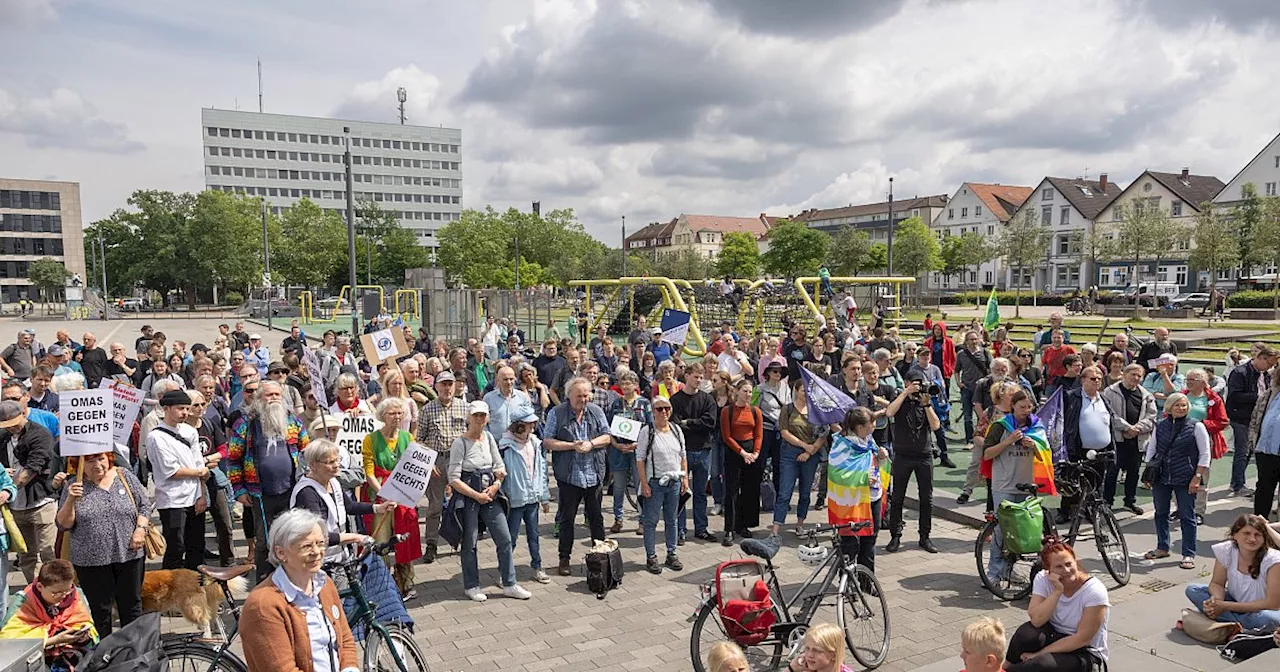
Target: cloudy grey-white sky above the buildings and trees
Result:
[655, 108]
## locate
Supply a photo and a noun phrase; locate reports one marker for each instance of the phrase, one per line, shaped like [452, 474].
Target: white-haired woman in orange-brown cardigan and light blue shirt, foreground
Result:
[295, 620]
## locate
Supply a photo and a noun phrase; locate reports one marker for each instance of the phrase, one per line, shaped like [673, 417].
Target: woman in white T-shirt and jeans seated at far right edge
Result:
[1246, 584]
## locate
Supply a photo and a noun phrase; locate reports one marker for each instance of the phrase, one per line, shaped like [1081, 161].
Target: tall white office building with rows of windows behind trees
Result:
[412, 171]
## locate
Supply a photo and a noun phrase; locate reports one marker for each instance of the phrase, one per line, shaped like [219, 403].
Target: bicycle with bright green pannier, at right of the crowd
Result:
[1021, 569]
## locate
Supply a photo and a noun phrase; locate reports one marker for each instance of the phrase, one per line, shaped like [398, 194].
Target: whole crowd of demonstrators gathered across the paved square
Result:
[239, 435]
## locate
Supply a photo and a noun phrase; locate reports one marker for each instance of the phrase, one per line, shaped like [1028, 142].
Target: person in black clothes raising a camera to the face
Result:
[915, 424]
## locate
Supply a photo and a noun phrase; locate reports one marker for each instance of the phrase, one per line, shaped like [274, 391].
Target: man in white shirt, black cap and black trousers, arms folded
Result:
[180, 474]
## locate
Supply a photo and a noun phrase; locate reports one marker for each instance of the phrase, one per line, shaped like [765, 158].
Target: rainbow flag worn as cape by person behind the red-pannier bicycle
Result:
[849, 483]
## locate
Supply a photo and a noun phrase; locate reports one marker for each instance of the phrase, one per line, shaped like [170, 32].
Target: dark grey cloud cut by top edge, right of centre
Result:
[807, 19]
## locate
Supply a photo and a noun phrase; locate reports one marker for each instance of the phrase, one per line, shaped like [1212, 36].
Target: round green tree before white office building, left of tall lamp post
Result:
[314, 244]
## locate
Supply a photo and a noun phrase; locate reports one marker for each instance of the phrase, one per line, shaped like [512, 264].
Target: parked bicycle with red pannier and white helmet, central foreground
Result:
[862, 610]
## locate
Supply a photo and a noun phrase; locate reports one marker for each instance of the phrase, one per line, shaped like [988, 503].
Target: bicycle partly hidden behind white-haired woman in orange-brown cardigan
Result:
[189, 653]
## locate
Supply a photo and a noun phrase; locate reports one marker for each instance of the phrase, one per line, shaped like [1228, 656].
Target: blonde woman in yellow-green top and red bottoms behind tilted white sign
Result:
[382, 450]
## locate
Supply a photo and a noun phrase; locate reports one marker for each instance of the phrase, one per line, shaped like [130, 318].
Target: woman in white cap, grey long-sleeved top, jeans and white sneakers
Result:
[477, 473]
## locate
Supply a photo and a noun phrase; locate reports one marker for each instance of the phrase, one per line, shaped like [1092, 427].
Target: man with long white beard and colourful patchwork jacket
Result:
[263, 458]
